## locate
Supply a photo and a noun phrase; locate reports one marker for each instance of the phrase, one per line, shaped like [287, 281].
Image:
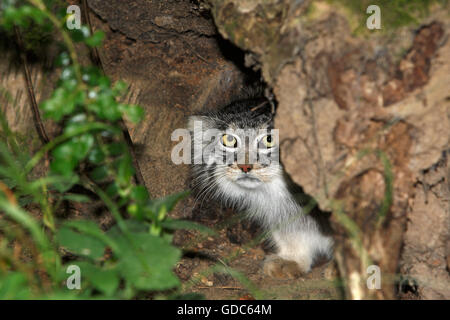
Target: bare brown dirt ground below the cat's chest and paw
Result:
[228, 265]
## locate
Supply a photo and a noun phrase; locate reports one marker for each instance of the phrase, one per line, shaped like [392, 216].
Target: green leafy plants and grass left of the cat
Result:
[135, 255]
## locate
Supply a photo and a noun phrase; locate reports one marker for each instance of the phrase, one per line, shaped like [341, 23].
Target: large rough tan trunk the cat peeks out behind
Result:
[357, 129]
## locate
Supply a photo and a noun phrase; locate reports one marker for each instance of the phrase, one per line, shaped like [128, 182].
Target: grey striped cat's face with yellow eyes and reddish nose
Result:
[239, 151]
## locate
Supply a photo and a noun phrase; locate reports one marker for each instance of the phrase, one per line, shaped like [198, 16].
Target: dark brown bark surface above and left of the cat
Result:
[168, 52]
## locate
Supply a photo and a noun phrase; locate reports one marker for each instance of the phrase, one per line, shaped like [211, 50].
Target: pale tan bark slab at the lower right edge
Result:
[426, 252]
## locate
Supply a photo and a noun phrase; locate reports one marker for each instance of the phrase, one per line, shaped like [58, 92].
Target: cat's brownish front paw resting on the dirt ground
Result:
[278, 268]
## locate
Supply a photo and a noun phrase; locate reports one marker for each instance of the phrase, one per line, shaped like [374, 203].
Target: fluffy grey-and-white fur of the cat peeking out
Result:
[263, 192]
